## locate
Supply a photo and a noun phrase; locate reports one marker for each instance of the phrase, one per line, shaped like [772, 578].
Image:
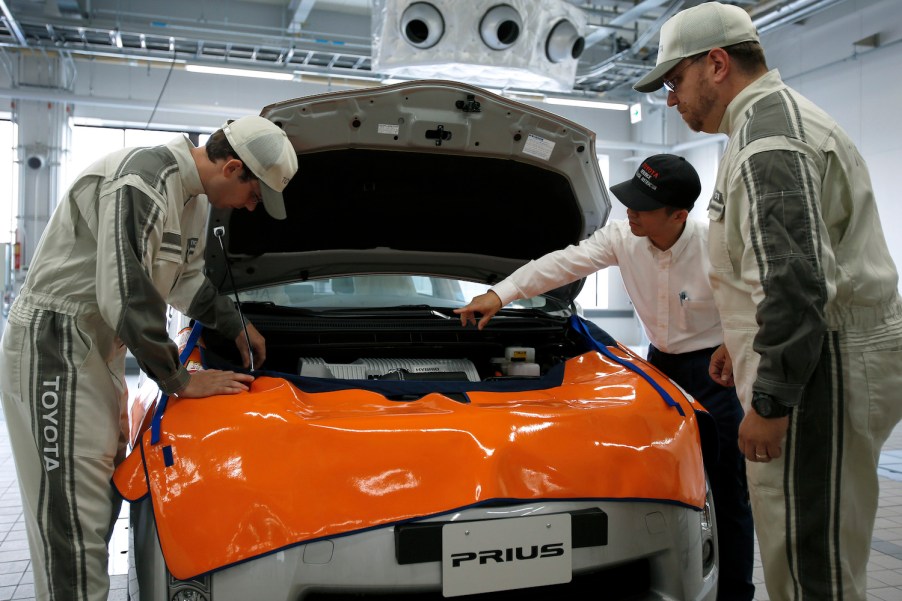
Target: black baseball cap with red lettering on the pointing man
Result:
[662, 180]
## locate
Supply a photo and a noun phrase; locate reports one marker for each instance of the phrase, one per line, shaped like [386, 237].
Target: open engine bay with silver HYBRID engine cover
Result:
[392, 348]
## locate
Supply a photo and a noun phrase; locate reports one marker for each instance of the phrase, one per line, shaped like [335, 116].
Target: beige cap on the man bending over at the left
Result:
[264, 147]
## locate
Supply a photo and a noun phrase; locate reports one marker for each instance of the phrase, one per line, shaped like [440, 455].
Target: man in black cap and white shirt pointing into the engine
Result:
[663, 259]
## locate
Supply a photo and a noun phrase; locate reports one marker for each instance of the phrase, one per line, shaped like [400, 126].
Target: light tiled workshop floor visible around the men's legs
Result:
[884, 570]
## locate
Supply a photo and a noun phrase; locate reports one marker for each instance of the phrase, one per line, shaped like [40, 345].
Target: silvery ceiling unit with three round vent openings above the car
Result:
[518, 44]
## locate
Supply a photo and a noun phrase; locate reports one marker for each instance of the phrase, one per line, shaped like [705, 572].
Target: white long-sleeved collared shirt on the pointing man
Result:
[669, 289]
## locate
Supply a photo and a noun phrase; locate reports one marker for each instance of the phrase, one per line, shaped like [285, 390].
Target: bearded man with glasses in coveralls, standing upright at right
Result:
[808, 296]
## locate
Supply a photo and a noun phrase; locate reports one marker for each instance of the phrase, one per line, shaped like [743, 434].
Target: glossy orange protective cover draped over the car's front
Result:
[237, 476]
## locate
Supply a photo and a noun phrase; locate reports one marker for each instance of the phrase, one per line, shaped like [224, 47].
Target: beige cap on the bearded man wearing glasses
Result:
[696, 30]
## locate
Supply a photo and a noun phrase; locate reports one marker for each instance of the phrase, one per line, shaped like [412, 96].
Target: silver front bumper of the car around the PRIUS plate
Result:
[643, 551]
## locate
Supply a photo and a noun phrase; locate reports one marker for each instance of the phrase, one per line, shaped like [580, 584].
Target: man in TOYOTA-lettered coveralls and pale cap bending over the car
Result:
[126, 240]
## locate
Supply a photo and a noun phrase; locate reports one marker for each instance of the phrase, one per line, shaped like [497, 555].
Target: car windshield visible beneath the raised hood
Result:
[381, 291]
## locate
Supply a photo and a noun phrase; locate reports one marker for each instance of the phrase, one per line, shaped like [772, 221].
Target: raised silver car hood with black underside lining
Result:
[428, 177]
